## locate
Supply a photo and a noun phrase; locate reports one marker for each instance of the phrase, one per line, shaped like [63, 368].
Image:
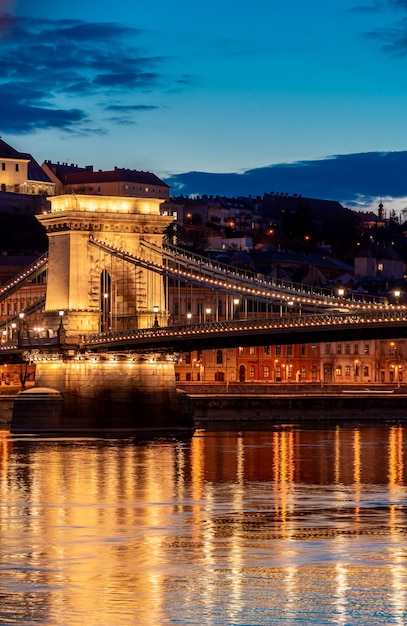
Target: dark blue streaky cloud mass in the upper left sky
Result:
[44, 60]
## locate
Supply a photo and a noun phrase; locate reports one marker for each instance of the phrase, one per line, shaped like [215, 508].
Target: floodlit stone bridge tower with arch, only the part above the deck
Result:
[96, 291]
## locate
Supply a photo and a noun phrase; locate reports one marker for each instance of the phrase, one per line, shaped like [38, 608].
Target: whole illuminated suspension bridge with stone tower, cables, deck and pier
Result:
[110, 286]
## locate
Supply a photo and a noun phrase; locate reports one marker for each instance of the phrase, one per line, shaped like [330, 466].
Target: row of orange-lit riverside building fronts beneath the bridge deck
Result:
[342, 363]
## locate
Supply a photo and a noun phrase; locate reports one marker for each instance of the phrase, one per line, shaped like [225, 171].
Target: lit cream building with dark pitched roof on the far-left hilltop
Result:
[20, 173]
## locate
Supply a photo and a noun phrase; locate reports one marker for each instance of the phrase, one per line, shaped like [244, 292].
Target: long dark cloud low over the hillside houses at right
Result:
[350, 178]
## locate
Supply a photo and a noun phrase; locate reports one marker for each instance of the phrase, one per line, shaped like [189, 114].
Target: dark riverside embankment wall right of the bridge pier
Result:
[296, 402]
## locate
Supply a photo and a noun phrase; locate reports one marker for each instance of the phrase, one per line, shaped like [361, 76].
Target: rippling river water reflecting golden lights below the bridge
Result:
[290, 524]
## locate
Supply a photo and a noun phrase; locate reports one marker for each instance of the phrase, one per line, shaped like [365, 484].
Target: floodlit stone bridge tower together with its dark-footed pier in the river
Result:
[95, 291]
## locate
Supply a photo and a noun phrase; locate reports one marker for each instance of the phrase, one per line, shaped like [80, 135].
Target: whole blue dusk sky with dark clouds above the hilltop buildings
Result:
[225, 97]
